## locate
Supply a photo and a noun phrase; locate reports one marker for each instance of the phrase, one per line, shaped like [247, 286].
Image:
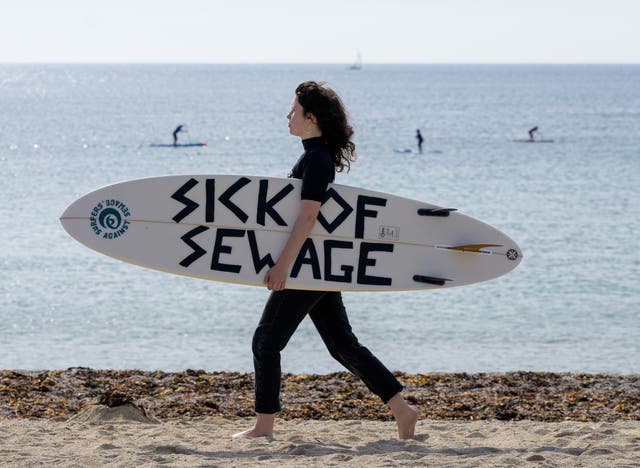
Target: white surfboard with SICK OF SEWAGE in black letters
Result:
[232, 228]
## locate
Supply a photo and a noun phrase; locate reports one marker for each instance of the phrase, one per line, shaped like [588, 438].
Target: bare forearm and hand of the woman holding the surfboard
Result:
[276, 277]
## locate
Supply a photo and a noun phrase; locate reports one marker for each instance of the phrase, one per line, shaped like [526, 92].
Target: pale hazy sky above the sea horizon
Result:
[317, 31]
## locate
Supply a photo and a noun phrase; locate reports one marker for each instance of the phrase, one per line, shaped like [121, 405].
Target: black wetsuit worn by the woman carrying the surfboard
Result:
[287, 308]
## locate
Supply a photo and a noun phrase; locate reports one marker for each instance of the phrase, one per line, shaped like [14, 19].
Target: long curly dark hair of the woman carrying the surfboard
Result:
[326, 106]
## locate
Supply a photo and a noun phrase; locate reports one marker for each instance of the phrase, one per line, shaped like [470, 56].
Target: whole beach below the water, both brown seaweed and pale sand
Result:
[85, 417]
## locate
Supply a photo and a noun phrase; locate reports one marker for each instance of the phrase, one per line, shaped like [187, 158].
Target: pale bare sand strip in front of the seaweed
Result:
[104, 441]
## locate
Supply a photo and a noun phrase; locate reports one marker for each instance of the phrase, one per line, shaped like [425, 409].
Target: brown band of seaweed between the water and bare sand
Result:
[509, 396]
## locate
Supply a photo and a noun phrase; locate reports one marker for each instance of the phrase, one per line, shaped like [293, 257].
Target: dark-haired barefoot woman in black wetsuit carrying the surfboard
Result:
[318, 117]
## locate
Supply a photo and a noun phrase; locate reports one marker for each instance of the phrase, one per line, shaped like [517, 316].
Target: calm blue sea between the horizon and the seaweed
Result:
[573, 205]
